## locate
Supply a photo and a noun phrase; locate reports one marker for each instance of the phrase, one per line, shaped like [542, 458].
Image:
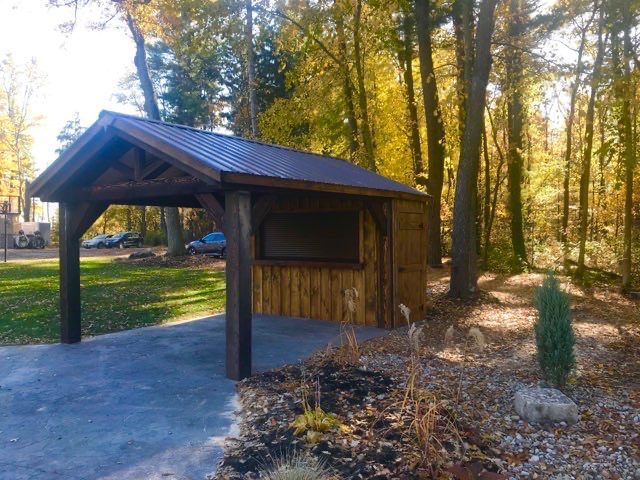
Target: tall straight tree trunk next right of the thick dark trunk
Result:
[515, 121]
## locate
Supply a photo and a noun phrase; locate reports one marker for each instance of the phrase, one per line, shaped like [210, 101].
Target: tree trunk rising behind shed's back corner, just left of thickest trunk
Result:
[435, 131]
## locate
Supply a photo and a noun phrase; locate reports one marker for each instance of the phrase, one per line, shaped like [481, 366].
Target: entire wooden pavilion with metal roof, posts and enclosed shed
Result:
[301, 228]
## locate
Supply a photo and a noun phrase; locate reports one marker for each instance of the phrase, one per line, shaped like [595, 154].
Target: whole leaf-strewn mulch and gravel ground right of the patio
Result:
[477, 427]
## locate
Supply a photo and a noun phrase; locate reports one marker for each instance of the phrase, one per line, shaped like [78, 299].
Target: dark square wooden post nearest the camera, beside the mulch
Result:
[238, 311]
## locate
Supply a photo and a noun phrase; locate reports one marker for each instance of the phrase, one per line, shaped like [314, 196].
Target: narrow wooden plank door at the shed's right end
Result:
[410, 249]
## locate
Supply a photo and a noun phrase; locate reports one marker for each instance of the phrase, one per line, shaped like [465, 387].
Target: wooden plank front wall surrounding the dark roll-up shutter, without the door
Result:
[317, 291]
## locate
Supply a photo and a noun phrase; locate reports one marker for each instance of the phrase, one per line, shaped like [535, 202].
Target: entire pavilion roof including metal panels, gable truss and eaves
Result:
[131, 161]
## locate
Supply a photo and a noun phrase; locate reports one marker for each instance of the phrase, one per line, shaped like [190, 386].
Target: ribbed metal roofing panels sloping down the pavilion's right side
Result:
[234, 160]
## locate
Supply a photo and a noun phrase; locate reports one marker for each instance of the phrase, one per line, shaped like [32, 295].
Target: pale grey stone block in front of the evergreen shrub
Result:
[545, 405]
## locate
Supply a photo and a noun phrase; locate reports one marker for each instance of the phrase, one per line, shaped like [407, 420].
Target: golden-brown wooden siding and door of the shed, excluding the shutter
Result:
[316, 289]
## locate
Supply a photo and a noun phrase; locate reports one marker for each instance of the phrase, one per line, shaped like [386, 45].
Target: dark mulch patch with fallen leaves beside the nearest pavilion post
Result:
[374, 445]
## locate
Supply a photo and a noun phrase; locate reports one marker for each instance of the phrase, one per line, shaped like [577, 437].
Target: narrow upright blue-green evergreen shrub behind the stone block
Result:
[554, 332]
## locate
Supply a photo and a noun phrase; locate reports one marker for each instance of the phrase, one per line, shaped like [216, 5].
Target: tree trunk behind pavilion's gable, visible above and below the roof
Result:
[175, 239]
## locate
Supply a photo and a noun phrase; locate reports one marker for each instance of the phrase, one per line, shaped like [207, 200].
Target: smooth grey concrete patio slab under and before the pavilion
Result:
[151, 403]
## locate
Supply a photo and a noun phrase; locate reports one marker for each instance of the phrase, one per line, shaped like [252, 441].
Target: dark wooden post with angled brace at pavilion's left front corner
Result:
[74, 219]
